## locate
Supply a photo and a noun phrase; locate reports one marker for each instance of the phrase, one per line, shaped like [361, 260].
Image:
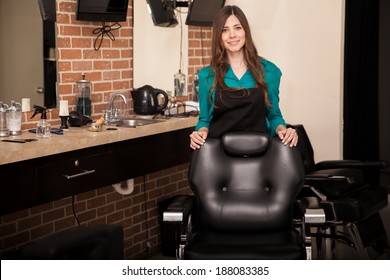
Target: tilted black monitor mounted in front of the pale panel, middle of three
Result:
[162, 13]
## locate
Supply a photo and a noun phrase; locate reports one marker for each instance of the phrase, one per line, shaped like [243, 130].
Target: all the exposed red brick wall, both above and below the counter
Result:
[110, 69]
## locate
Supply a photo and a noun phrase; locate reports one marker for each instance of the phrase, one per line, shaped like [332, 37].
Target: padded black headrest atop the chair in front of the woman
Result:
[245, 144]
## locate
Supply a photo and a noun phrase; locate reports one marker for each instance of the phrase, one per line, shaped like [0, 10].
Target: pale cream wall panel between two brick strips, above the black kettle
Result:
[157, 49]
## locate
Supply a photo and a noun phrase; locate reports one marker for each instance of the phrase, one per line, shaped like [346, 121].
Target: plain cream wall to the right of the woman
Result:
[305, 39]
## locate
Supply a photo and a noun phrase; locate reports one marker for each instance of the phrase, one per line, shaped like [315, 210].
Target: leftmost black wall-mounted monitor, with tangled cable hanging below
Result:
[102, 10]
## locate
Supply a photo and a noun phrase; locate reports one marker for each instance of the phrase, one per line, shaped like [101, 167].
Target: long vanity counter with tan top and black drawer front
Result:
[38, 172]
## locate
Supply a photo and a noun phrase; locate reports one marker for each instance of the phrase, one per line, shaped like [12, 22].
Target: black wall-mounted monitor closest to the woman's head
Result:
[202, 12]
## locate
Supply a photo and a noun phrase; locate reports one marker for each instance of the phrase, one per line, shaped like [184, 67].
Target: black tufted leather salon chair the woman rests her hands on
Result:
[245, 186]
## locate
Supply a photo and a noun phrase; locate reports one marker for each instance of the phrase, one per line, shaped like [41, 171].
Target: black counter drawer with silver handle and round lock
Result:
[74, 175]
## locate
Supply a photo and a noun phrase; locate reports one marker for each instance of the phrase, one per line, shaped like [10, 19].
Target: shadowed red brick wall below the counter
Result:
[101, 206]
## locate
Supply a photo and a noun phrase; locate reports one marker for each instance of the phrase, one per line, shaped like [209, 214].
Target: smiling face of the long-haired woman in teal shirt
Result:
[233, 35]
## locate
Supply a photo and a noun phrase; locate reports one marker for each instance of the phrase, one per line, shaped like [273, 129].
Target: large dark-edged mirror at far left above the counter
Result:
[27, 54]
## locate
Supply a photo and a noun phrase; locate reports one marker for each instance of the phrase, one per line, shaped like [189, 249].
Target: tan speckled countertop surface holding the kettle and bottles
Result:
[76, 138]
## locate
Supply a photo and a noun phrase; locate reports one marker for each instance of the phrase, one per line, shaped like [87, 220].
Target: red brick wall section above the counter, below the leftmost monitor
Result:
[110, 69]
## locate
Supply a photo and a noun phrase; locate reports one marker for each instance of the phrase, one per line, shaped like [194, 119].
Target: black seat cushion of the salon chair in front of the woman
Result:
[245, 246]
